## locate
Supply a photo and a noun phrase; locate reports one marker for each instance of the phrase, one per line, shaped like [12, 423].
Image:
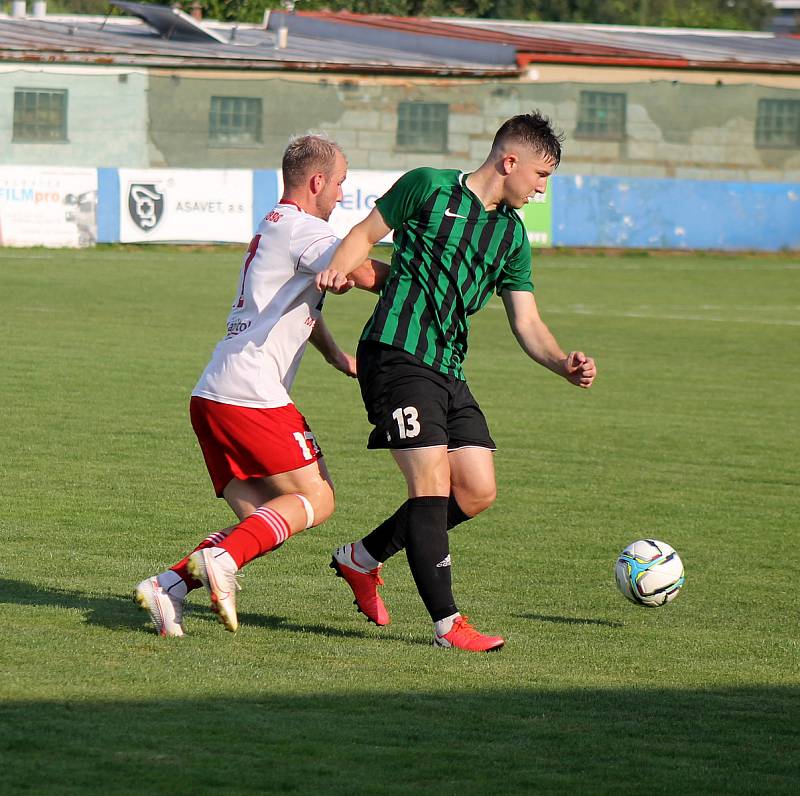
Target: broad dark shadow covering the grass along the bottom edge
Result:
[468, 742]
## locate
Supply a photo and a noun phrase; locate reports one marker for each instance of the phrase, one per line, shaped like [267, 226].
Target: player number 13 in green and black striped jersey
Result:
[457, 239]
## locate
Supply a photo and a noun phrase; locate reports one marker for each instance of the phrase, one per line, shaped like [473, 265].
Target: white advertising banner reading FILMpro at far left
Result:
[47, 206]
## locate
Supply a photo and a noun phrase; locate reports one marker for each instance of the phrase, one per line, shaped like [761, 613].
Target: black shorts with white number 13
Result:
[414, 406]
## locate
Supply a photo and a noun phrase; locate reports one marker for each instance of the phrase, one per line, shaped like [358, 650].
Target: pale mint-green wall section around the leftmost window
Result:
[106, 116]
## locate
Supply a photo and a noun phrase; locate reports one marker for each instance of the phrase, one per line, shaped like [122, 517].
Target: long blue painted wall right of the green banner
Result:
[675, 214]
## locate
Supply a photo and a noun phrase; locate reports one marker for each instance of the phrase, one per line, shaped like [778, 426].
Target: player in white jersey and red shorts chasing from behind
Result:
[260, 453]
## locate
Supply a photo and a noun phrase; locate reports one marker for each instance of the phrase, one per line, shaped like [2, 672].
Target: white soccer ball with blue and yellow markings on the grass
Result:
[649, 573]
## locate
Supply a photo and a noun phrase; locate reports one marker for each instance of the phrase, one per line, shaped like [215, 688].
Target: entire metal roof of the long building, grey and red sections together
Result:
[346, 42]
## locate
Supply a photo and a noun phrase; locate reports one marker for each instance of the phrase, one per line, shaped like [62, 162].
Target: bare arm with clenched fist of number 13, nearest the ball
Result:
[538, 342]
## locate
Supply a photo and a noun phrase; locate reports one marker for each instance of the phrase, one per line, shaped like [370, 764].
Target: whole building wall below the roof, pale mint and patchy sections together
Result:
[679, 124]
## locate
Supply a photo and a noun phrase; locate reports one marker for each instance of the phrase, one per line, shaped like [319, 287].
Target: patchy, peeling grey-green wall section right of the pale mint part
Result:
[674, 128]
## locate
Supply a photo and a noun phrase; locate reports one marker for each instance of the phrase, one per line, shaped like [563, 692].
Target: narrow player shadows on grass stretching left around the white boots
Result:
[119, 612]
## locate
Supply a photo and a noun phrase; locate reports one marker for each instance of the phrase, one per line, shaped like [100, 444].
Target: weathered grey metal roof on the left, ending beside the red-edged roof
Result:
[123, 40]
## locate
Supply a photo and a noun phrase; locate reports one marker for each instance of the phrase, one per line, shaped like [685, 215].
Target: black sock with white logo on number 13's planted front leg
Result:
[428, 552]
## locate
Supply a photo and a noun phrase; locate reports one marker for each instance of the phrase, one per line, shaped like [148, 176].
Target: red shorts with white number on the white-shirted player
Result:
[240, 442]
